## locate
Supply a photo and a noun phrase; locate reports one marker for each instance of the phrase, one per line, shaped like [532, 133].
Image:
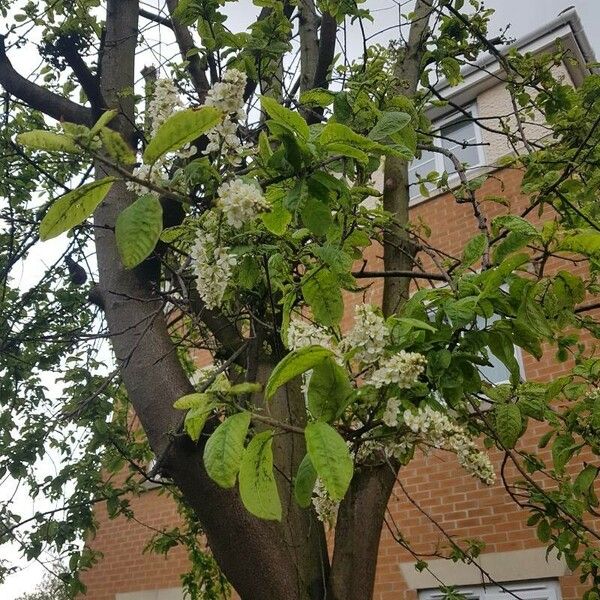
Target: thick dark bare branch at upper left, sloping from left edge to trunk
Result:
[37, 97]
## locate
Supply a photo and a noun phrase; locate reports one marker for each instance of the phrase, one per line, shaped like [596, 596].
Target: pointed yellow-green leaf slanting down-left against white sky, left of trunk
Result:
[73, 208]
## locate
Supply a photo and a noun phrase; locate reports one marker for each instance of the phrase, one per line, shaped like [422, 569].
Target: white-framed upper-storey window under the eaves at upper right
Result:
[458, 134]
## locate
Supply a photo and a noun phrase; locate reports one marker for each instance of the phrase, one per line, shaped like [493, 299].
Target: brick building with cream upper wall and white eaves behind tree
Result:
[434, 493]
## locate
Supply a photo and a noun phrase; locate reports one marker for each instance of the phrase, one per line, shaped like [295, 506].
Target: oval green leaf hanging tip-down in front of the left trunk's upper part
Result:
[138, 230]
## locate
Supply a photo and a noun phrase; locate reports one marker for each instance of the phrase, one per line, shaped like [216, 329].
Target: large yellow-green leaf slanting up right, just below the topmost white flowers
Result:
[179, 129]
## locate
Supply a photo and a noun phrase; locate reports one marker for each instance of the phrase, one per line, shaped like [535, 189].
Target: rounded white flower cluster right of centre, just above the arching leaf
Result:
[369, 335]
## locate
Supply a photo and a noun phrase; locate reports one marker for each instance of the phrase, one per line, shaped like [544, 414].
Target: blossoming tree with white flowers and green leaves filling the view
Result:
[233, 223]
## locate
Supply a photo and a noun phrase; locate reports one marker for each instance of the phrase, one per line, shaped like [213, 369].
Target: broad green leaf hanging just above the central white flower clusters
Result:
[321, 291]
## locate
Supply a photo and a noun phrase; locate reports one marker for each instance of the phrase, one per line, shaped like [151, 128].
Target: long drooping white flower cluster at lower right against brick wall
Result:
[439, 431]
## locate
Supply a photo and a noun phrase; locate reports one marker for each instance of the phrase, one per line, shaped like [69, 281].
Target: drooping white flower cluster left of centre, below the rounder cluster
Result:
[213, 266]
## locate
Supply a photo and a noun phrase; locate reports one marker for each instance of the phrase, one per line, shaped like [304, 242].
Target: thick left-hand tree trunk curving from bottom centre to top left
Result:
[261, 559]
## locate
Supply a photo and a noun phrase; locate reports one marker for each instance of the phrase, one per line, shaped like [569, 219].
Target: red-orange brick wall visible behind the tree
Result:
[453, 499]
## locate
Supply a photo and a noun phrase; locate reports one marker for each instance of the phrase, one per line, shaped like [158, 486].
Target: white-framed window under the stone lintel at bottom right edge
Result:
[534, 590]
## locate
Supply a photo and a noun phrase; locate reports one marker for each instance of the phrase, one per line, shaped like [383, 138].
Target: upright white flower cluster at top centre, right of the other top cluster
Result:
[228, 96]
